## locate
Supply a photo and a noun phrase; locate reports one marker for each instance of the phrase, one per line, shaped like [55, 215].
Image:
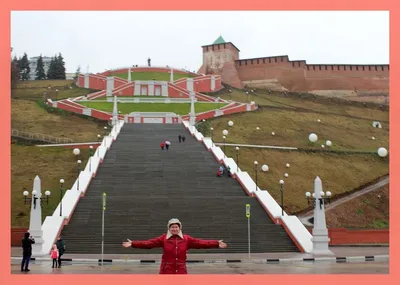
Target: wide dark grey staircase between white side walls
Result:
[146, 187]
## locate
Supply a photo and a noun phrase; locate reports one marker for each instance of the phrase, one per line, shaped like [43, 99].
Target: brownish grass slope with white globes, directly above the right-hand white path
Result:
[292, 129]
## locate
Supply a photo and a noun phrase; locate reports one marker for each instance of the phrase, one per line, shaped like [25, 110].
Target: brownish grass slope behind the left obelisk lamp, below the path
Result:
[51, 164]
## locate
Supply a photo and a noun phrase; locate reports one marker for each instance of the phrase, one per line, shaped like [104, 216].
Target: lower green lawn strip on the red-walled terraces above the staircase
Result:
[178, 108]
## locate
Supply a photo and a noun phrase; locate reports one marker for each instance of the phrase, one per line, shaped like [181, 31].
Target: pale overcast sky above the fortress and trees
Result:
[104, 40]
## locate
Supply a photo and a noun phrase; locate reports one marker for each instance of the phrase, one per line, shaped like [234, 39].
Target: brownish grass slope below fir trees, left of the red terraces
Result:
[27, 115]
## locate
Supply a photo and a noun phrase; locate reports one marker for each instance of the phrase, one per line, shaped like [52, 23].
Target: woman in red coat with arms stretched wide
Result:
[175, 245]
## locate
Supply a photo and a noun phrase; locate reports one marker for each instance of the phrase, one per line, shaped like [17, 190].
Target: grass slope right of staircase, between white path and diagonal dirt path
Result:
[339, 173]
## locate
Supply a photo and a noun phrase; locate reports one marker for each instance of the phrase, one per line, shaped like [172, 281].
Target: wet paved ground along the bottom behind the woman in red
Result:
[321, 267]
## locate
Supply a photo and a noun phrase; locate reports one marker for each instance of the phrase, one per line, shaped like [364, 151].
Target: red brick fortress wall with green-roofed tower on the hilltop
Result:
[280, 73]
